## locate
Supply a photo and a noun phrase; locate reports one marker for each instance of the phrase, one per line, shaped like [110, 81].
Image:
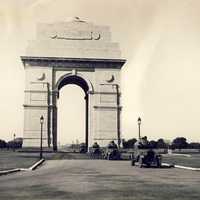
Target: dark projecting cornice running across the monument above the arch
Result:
[59, 62]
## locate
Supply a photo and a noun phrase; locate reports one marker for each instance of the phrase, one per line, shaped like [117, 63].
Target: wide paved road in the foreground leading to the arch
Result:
[99, 180]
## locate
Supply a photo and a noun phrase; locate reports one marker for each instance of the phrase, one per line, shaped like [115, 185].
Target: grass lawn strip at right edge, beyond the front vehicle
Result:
[192, 161]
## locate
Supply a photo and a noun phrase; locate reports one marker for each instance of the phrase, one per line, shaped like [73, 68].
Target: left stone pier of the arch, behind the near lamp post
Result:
[36, 105]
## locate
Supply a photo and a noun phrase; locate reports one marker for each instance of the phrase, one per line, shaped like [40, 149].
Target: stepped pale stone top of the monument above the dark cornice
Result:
[75, 39]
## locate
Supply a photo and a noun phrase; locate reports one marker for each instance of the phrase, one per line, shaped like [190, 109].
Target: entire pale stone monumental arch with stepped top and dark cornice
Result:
[73, 52]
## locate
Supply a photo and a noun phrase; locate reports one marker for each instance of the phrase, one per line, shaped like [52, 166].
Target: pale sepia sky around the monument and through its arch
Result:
[160, 81]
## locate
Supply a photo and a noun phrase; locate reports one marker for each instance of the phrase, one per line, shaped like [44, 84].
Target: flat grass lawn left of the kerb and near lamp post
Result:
[12, 160]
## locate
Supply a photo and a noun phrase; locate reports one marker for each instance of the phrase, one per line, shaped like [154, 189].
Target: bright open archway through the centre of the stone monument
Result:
[71, 116]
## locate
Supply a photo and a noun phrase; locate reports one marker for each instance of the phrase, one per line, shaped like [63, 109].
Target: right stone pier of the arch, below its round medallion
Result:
[107, 114]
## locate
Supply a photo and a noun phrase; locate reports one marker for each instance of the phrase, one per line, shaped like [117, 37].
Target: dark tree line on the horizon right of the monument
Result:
[177, 143]
